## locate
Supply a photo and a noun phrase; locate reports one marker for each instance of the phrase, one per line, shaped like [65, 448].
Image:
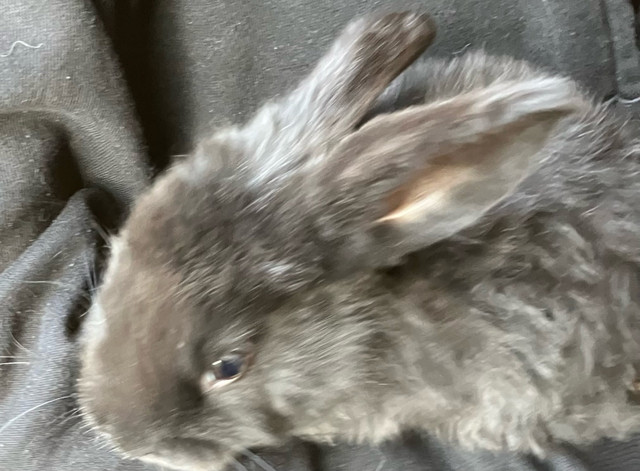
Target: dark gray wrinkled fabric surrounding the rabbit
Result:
[94, 94]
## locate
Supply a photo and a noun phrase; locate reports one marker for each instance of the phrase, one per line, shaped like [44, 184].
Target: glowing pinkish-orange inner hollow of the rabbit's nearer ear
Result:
[426, 191]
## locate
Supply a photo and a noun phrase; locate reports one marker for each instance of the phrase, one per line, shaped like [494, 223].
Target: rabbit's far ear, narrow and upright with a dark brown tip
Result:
[331, 101]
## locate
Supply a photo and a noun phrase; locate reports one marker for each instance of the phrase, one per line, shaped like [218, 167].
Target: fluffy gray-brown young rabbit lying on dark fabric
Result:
[465, 267]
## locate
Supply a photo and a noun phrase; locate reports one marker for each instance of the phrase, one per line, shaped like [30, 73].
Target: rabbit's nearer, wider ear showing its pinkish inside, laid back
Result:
[411, 178]
